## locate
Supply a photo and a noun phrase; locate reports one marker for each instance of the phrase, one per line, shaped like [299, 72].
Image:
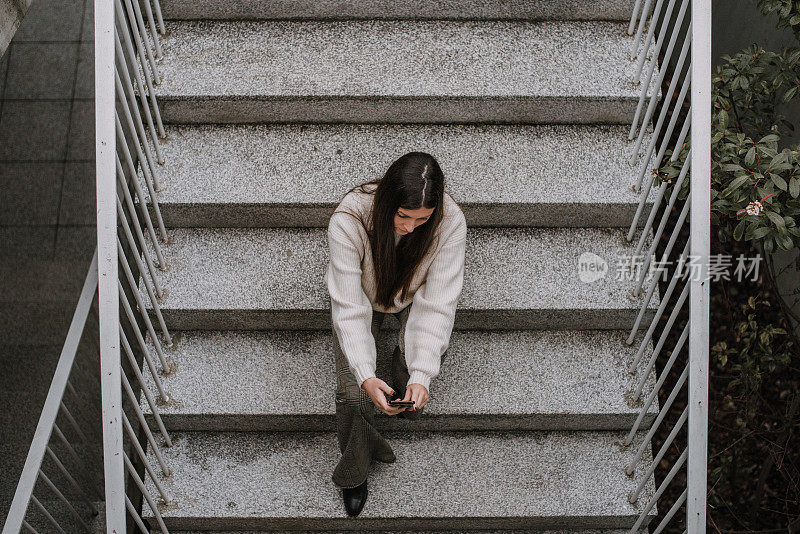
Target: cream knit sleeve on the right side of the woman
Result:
[433, 309]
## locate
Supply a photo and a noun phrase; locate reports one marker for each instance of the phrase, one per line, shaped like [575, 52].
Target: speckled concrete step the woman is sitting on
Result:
[515, 278]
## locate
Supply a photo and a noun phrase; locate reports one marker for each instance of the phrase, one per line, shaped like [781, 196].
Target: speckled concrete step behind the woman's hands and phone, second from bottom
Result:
[537, 381]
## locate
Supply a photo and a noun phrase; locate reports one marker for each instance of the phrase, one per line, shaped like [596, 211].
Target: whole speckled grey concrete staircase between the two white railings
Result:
[525, 105]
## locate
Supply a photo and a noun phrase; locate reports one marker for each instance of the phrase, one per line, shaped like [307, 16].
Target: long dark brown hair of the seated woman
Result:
[412, 181]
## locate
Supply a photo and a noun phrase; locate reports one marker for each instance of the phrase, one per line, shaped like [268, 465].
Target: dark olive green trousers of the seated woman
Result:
[359, 440]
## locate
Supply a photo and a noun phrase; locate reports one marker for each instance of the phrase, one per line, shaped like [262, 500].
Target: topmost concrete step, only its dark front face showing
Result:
[397, 9]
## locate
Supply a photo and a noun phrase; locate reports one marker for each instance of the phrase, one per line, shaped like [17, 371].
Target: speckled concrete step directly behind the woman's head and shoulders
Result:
[293, 174]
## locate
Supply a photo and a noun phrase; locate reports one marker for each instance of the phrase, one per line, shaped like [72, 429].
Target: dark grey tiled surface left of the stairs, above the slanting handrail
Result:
[47, 212]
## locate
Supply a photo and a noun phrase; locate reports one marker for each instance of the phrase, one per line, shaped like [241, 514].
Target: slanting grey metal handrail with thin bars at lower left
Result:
[53, 405]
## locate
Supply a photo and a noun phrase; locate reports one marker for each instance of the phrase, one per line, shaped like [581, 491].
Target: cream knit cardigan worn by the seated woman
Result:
[434, 290]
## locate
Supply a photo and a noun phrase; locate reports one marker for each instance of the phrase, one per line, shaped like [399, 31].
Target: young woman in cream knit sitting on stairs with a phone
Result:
[396, 246]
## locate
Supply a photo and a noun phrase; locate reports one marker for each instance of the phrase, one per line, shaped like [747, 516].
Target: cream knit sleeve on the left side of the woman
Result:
[351, 310]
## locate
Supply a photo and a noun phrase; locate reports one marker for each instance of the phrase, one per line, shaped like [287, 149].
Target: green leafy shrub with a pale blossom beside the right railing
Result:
[755, 183]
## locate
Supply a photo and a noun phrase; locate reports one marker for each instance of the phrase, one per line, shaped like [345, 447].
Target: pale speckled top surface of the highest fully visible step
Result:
[397, 58]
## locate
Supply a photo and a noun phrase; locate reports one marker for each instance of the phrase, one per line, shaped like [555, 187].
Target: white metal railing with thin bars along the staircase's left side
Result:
[126, 71]
